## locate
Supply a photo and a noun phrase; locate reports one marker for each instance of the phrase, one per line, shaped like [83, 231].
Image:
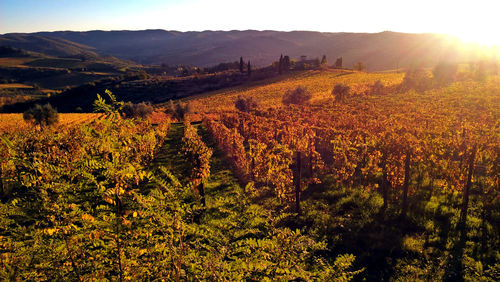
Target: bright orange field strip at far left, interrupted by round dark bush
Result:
[15, 122]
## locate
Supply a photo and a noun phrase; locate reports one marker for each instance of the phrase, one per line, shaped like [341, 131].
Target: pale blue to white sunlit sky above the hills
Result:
[473, 21]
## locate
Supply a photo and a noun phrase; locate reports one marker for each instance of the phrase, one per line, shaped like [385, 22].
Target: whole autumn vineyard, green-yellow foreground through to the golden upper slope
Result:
[384, 183]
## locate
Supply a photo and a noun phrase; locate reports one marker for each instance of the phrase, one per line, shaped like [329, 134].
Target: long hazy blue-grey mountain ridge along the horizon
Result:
[379, 51]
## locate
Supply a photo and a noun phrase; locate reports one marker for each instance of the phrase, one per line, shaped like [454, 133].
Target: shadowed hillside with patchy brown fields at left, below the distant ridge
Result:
[27, 75]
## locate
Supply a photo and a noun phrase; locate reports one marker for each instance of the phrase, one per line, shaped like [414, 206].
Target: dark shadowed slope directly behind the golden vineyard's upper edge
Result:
[130, 88]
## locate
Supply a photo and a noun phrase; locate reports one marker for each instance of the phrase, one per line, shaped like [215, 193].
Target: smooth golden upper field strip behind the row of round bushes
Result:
[320, 83]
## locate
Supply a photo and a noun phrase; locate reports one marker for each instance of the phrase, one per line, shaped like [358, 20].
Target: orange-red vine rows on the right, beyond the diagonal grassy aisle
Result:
[416, 158]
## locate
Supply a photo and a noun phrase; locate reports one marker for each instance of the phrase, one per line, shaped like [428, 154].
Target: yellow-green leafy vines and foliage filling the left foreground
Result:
[119, 199]
